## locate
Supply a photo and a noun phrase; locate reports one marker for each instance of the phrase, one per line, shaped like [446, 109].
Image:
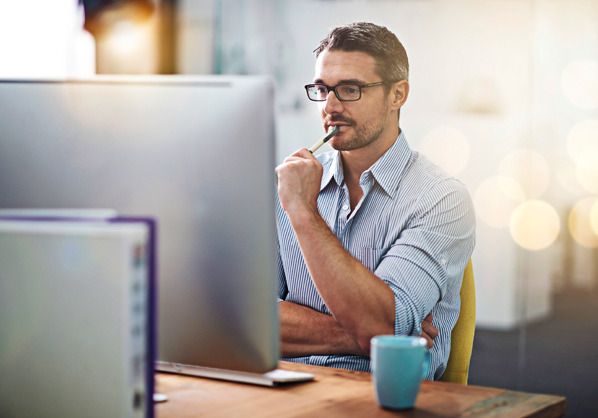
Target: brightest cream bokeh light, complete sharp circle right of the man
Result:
[534, 225]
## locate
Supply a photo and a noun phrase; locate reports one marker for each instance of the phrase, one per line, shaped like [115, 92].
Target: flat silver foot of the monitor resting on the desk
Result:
[274, 377]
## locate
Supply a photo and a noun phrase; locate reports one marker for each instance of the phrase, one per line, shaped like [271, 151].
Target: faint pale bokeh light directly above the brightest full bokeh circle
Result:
[529, 168]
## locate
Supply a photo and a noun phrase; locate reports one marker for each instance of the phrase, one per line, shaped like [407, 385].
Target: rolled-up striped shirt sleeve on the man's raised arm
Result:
[430, 254]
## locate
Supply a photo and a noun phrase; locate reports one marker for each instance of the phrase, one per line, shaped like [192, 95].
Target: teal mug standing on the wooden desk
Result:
[399, 364]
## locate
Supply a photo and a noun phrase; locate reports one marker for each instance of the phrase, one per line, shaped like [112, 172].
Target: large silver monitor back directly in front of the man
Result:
[195, 153]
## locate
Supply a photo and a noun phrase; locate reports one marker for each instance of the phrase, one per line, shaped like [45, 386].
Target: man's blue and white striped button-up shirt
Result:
[414, 228]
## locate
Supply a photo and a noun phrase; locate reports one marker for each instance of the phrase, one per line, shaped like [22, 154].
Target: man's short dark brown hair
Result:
[377, 41]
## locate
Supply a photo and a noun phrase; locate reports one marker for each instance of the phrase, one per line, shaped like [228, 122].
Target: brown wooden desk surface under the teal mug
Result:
[340, 393]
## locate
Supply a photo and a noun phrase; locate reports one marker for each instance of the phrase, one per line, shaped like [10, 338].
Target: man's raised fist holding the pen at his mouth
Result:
[299, 178]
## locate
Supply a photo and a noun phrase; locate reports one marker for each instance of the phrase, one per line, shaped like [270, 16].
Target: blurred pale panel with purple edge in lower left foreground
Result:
[75, 298]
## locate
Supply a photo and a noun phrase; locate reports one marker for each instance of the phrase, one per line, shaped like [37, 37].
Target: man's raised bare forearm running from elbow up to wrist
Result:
[361, 303]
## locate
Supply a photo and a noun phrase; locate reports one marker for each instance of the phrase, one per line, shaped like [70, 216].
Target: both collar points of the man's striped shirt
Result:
[386, 171]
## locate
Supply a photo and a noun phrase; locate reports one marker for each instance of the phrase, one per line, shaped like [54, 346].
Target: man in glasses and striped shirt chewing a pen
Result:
[373, 238]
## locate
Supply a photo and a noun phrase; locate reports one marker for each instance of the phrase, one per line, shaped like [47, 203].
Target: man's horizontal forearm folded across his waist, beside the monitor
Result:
[304, 331]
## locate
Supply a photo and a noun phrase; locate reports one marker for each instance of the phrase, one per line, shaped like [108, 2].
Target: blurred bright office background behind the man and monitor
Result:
[504, 95]
